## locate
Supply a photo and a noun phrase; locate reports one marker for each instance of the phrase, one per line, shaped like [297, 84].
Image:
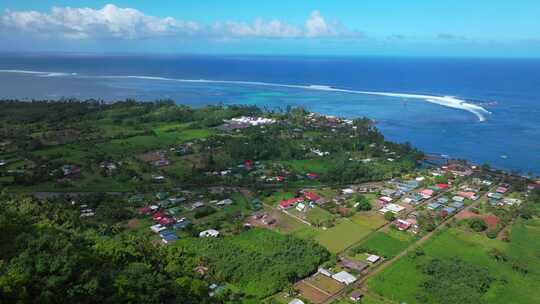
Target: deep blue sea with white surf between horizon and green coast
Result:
[483, 110]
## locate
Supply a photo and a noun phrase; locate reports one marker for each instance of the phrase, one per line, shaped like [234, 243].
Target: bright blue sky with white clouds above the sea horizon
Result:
[482, 28]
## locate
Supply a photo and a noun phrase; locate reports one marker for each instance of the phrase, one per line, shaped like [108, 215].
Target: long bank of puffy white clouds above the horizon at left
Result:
[128, 23]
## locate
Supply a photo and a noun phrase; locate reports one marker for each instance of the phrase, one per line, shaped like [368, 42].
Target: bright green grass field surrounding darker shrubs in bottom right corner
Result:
[403, 279]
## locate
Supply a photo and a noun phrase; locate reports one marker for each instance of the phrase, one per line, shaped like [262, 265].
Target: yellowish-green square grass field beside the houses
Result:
[341, 236]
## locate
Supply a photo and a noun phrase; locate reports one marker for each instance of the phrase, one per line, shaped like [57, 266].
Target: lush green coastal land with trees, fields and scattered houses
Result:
[156, 202]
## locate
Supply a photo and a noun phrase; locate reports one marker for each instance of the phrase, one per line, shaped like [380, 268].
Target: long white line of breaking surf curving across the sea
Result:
[446, 101]
